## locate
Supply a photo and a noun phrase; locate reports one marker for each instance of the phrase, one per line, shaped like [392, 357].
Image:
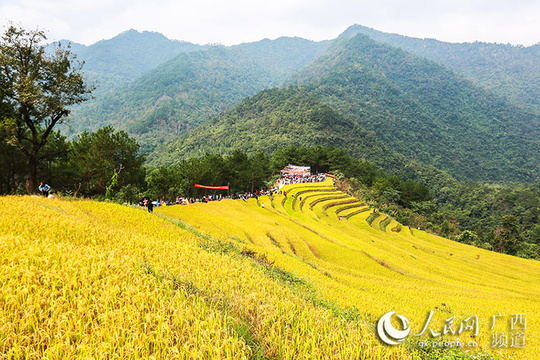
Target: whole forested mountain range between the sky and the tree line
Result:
[419, 108]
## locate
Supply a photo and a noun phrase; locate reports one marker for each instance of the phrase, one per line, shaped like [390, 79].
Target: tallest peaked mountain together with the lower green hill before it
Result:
[415, 107]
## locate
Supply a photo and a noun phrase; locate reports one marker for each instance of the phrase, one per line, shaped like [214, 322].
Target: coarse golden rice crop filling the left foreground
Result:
[88, 279]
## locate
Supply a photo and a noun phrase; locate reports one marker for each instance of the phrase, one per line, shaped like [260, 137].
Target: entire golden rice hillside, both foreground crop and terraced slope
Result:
[232, 279]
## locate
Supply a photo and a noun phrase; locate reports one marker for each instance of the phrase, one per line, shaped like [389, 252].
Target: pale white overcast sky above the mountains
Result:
[235, 21]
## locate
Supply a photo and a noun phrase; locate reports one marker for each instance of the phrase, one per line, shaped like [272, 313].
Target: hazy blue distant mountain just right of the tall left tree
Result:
[113, 62]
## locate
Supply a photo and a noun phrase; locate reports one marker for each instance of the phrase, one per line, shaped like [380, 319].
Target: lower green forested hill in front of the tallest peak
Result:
[281, 118]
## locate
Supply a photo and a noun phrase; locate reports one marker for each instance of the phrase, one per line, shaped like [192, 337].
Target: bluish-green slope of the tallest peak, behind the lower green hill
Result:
[426, 112]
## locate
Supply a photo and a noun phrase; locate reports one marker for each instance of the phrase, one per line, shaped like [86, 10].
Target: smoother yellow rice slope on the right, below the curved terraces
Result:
[358, 269]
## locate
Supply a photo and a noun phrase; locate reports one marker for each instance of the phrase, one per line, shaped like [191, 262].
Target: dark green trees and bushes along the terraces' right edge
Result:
[505, 219]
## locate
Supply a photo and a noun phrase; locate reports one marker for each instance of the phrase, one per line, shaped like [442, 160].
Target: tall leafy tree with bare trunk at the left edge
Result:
[36, 90]
